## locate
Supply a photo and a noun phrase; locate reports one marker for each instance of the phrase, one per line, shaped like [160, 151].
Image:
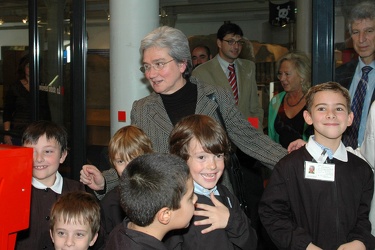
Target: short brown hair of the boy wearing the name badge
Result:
[327, 86]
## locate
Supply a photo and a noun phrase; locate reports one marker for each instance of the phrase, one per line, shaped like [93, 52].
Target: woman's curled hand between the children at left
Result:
[92, 177]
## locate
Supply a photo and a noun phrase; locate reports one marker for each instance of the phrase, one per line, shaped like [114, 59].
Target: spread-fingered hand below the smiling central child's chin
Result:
[217, 216]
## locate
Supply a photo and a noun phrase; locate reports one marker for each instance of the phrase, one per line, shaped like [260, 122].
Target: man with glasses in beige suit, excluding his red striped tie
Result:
[216, 72]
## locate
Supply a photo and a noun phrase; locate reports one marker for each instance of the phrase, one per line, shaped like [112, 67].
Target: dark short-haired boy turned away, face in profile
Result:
[157, 196]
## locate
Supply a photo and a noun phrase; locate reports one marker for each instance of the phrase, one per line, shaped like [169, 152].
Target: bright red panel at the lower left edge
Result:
[15, 192]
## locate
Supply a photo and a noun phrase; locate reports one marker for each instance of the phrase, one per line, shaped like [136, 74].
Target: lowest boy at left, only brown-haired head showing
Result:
[75, 221]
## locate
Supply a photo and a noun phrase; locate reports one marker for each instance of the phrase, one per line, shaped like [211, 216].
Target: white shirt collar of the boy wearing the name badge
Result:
[316, 150]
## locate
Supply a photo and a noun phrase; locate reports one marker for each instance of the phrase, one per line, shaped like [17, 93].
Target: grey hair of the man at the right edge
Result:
[361, 11]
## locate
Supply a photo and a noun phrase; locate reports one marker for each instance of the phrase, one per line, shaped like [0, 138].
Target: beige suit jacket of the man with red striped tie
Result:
[248, 101]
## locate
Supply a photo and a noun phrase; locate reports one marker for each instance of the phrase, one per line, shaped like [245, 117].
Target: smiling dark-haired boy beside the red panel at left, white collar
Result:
[49, 141]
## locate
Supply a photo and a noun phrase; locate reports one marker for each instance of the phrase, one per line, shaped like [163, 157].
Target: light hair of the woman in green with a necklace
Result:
[302, 65]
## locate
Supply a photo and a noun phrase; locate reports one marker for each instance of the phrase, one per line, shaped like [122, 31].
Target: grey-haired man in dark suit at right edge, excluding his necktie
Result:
[361, 25]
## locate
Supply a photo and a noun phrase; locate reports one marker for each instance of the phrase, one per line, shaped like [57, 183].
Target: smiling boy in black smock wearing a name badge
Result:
[329, 208]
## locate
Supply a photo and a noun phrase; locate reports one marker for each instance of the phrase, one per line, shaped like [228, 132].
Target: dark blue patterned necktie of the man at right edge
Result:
[357, 106]
